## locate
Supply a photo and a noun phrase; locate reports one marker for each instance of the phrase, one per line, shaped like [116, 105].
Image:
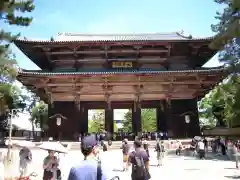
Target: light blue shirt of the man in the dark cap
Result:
[87, 170]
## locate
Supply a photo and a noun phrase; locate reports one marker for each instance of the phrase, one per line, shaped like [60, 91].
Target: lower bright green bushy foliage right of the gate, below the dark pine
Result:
[221, 105]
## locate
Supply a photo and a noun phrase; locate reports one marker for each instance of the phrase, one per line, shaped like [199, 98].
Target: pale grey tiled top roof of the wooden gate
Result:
[71, 37]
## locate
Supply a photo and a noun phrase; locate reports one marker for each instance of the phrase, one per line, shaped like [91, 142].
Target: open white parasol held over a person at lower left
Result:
[53, 146]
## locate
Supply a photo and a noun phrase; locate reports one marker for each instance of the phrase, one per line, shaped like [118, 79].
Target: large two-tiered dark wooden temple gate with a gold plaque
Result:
[82, 72]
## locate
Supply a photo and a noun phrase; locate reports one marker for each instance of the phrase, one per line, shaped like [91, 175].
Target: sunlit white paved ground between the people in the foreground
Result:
[175, 167]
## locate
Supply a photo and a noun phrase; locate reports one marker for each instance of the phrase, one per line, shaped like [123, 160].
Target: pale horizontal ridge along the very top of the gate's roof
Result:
[114, 34]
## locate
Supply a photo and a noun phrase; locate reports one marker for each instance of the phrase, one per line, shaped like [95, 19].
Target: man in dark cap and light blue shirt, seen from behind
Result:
[91, 167]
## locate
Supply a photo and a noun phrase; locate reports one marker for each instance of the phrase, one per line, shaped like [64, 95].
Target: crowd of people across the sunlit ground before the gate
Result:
[91, 167]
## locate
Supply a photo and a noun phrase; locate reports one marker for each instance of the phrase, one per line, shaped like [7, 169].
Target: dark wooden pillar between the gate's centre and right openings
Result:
[136, 119]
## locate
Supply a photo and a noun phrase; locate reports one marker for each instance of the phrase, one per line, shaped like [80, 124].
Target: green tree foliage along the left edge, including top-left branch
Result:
[11, 14]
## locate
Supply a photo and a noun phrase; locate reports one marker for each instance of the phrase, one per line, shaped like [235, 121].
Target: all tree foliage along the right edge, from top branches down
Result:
[223, 103]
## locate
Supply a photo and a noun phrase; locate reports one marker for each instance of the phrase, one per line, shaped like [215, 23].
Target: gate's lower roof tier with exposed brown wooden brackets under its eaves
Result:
[122, 85]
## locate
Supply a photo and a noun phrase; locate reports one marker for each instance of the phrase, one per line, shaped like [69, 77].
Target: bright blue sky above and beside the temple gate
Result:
[111, 16]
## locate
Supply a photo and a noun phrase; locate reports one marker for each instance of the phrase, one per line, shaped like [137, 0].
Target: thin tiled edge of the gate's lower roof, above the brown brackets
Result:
[120, 72]
